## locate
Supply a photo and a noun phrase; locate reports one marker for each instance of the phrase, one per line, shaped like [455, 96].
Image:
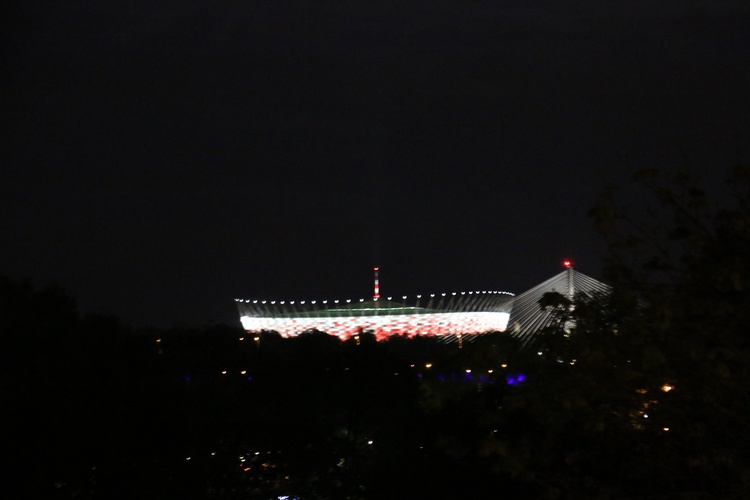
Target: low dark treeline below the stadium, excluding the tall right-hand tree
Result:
[98, 410]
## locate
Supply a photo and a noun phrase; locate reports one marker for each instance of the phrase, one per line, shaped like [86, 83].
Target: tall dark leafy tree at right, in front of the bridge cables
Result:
[650, 381]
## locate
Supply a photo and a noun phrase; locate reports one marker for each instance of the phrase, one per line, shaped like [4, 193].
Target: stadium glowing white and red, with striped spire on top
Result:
[436, 314]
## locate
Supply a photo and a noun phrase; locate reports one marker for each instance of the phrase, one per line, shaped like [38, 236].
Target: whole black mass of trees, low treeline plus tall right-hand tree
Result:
[642, 393]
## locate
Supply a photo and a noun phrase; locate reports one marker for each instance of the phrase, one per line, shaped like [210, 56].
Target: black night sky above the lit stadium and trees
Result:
[164, 157]
